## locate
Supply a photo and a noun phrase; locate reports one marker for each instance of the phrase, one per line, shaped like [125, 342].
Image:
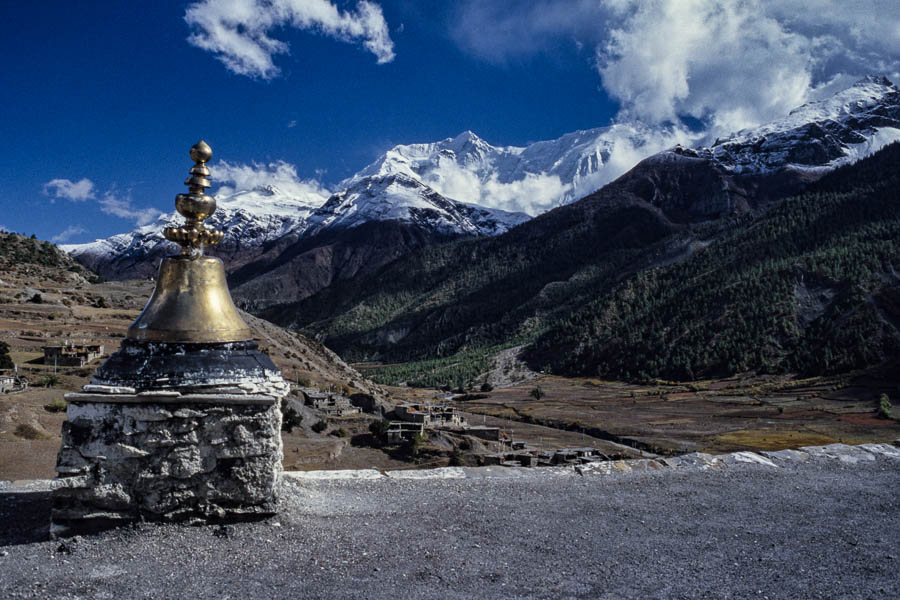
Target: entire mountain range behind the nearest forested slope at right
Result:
[390, 267]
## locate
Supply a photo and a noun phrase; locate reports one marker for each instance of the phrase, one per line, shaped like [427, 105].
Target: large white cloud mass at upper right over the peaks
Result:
[731, 64]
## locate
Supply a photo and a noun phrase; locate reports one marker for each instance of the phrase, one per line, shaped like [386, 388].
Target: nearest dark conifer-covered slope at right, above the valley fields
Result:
[812, 286]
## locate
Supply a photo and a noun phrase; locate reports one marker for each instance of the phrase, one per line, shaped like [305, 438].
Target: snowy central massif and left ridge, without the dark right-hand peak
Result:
[444, 188]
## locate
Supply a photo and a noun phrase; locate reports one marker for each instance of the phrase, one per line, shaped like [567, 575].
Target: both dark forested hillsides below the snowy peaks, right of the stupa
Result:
[612, 286]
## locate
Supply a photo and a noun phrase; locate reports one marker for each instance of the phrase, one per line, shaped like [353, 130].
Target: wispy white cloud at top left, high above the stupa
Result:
[238, 33]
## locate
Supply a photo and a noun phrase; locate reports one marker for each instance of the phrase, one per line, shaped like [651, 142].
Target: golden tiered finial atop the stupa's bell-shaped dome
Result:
[195, 206]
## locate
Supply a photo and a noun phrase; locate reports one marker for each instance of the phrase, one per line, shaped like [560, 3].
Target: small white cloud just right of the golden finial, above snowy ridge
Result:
[279, 173]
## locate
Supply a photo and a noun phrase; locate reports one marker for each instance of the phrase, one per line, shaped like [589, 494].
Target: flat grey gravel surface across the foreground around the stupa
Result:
[823, 528]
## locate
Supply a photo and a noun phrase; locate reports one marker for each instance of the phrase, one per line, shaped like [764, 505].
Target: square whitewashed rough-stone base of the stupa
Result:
[189, 458]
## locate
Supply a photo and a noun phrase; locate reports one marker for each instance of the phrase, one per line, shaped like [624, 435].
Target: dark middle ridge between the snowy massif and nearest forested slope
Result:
[486, 291]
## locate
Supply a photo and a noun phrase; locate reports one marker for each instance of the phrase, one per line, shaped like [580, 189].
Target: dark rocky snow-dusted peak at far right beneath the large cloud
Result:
[746, 170]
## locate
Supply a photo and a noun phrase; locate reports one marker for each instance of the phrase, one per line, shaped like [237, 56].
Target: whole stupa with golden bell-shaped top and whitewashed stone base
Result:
[183, 422]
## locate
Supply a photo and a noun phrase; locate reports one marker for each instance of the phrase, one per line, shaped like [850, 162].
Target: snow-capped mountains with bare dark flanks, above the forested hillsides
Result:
[280, 249]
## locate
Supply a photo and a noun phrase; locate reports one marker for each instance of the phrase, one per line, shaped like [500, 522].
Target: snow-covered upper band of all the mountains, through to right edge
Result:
[464, 185]
